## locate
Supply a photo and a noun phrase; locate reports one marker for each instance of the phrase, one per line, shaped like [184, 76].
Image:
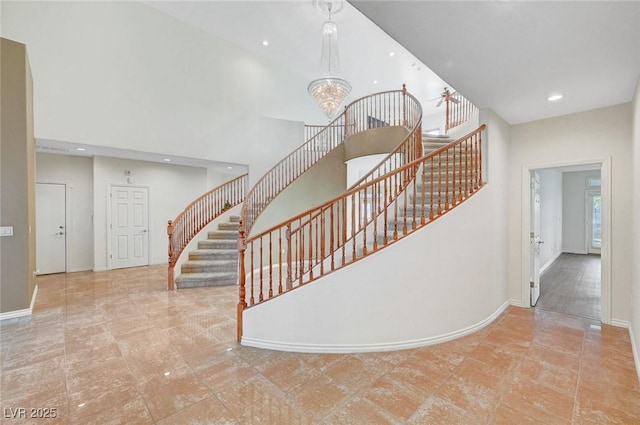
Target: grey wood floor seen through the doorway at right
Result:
[571, 285]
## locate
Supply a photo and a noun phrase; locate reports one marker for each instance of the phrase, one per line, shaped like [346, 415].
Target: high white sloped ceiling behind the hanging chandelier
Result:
[293, 29]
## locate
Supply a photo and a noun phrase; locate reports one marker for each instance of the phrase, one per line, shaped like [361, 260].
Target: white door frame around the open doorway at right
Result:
[605, 250]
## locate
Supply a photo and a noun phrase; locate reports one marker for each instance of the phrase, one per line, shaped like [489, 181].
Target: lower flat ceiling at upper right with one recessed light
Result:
[511, 55]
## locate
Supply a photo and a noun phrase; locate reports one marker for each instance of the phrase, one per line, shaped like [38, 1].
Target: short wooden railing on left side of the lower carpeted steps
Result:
[198, 214]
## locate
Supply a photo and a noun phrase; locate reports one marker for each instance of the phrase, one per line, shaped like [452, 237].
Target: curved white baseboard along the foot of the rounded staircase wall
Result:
[376, 347]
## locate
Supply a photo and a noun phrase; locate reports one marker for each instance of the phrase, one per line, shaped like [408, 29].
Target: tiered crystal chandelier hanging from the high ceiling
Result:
[330, 90]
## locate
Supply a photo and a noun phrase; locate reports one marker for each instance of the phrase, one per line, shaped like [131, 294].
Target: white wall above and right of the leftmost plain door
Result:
[77, 172]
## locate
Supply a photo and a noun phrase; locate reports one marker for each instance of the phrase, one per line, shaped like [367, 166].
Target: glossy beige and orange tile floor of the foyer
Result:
[116, 348]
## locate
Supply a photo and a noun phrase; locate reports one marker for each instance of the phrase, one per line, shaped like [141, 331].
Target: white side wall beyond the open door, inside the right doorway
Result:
[551, 223]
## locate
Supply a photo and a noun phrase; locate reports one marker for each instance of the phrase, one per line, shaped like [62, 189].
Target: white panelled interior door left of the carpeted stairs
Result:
[129, 226]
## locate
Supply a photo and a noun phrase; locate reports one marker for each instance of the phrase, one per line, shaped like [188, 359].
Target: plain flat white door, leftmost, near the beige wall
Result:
[51, 231]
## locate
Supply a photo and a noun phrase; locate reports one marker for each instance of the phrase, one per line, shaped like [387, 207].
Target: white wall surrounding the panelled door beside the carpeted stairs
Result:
[171, 188]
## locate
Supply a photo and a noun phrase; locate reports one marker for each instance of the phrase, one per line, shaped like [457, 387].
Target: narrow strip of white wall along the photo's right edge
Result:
[635, 282]
